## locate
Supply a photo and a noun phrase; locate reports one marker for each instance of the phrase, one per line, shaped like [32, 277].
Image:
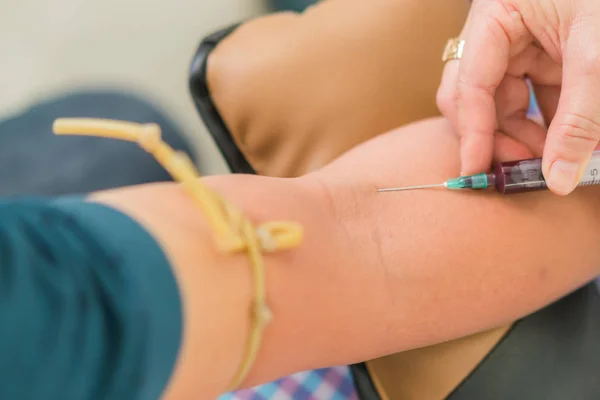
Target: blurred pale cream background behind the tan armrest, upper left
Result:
[144, 46]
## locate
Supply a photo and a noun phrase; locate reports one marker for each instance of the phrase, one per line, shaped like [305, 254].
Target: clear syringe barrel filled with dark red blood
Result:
[526, 175]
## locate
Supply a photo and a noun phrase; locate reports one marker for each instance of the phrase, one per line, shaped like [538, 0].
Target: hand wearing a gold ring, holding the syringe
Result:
[554, 43]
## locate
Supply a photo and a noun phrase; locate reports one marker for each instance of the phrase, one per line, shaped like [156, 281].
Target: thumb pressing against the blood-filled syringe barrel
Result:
[575, 131]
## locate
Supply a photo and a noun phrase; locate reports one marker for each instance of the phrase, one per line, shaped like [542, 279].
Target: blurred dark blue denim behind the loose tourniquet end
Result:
[35, 162]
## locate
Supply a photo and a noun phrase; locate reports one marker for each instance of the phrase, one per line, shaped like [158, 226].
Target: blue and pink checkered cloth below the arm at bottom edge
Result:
[322, 384]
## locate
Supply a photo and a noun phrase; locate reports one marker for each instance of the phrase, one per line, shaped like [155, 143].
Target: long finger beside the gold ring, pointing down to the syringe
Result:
[482, 68]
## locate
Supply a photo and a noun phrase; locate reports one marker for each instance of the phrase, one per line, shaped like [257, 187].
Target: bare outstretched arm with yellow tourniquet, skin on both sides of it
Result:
[394, 259]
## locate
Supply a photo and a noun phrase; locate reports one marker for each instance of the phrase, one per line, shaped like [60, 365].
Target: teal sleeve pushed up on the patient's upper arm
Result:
[89, 305]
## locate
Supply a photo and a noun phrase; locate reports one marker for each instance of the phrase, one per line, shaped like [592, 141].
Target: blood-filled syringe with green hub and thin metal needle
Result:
[512, 177]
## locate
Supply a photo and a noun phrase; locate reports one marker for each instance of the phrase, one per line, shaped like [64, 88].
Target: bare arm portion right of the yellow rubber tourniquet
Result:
[394, 271]
